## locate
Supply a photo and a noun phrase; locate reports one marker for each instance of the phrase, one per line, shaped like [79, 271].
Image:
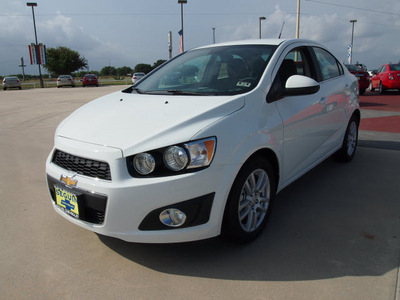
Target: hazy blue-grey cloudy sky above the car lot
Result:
[127, 32]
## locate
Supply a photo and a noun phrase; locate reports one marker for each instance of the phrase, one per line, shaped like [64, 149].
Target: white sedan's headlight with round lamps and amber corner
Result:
[174, 159]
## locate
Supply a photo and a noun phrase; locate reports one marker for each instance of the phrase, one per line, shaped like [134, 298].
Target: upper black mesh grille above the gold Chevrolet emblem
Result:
[82, 166]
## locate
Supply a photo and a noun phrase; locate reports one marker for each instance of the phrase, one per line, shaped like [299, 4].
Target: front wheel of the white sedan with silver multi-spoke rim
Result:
[250, 201]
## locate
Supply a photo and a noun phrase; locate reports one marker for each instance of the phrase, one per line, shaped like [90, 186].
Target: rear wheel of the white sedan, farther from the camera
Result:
[349, 146]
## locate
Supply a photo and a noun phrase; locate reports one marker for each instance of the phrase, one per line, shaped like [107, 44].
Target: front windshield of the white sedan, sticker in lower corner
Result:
[225, 70]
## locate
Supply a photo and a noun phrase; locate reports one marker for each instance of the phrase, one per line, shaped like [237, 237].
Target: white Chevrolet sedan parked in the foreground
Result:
[201, 146]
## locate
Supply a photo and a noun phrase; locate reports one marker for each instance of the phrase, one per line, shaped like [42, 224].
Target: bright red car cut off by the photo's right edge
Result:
[386, 77]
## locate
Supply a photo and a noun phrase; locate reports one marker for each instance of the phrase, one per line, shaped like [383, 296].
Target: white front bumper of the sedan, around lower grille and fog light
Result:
[128, 208]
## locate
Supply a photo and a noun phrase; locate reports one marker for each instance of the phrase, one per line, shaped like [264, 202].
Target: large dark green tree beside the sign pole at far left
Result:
[62, 60]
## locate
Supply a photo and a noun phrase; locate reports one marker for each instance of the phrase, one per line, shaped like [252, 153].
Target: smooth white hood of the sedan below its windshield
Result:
[136, 123]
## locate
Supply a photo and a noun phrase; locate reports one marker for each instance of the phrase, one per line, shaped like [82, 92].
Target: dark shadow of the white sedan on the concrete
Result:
[337, 220]
